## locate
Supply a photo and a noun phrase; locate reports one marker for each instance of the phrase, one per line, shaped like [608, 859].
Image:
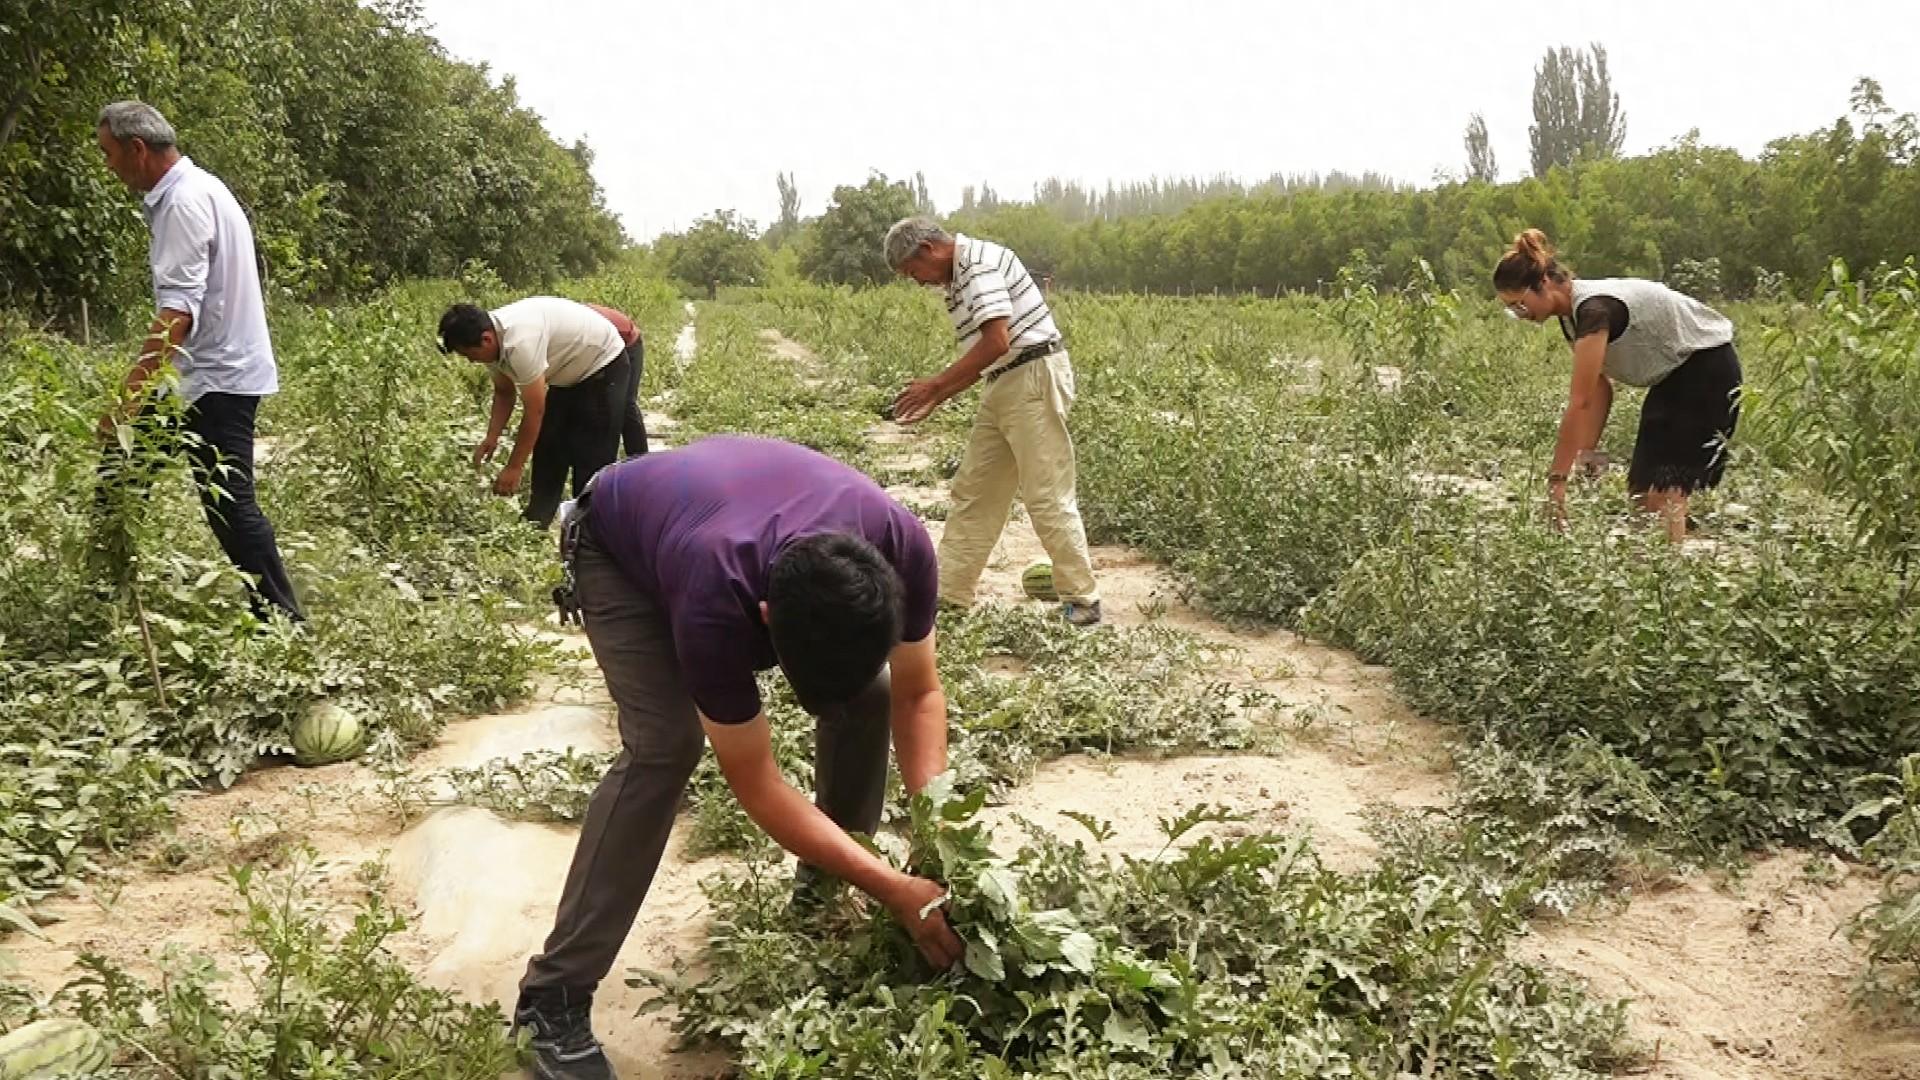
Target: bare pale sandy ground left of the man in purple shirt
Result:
[481, 889]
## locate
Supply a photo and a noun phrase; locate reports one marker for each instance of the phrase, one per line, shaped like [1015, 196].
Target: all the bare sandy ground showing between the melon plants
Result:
[1746, 985]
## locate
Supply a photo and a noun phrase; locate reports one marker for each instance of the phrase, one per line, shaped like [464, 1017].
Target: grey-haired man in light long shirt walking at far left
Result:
[212, 326]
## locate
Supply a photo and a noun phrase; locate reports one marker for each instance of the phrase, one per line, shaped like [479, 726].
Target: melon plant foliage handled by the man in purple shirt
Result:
[1220, 956]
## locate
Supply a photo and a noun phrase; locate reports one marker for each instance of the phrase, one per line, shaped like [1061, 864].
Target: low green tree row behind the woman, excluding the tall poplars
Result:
[1723, 222]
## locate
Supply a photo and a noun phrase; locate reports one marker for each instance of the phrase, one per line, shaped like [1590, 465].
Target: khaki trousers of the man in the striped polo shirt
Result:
[1019, 445]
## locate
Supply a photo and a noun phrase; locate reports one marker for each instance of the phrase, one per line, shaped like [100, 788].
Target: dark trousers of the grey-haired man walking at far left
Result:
[224, 470]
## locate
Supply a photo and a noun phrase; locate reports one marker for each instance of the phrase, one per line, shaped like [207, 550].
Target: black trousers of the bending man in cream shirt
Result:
[581, 435]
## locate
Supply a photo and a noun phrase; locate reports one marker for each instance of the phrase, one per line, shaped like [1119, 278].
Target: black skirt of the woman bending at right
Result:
[1687, 424]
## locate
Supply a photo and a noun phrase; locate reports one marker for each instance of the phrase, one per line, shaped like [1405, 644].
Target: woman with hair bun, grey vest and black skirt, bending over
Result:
[1646, 335]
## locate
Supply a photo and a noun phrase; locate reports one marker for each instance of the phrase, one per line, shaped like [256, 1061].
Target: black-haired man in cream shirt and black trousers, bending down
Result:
[573, 376]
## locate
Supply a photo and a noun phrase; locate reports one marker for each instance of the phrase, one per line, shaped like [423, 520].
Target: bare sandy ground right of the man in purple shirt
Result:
[1742, 985]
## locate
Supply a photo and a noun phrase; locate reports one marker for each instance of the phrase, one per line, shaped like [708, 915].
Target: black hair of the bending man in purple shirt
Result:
[834, 612]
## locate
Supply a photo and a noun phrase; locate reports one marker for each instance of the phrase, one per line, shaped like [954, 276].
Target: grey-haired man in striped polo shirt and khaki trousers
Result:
[1020, 441]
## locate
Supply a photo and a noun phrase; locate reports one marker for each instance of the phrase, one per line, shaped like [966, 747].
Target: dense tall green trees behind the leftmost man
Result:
[360, 149]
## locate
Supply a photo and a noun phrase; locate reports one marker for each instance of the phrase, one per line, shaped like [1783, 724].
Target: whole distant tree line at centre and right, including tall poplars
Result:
[1698, 216]
